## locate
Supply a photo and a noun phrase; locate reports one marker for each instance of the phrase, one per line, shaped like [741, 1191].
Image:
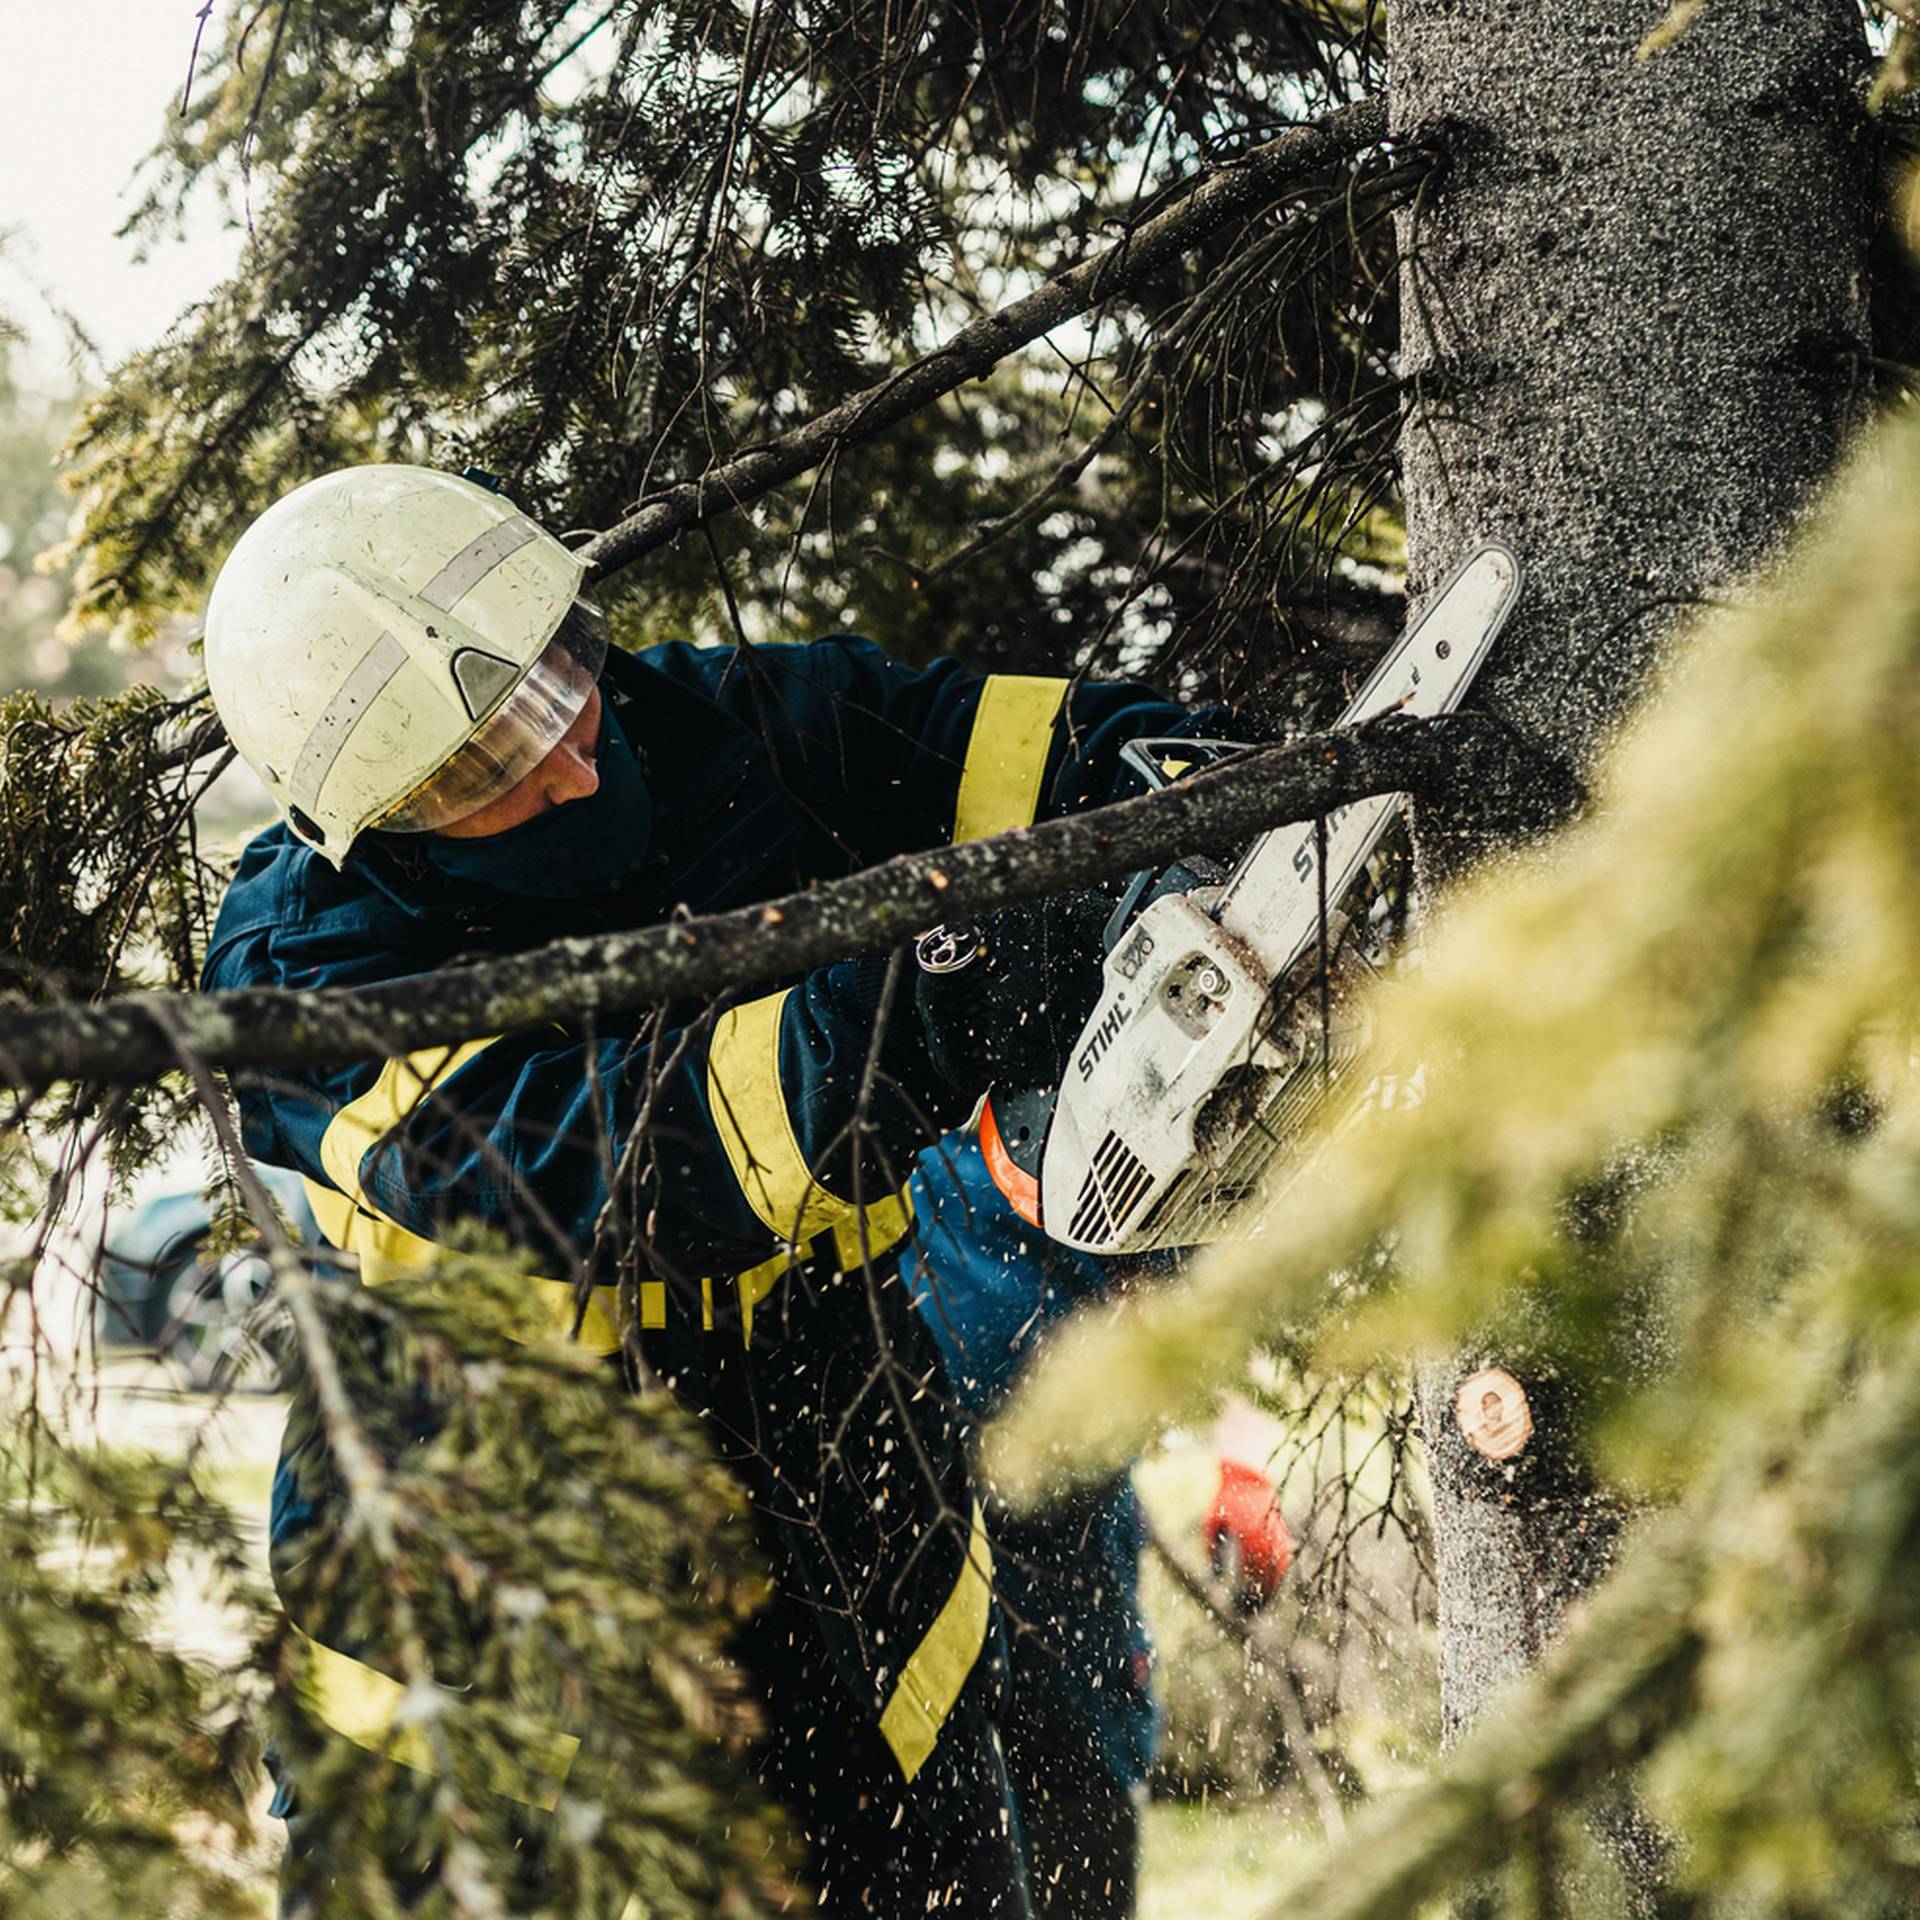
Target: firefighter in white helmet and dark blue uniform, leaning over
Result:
[464, 769]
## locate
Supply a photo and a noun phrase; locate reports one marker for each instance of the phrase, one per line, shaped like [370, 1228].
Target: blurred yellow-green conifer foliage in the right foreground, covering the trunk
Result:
[1673, 1155]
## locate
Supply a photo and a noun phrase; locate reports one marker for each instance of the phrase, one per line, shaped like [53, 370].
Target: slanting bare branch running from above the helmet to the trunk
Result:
[1239, 187]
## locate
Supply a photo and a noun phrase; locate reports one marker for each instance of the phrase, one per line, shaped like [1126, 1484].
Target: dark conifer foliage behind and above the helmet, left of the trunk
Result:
[600, 247]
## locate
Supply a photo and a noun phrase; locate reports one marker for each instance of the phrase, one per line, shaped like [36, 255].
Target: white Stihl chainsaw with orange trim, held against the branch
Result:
[1232, 997]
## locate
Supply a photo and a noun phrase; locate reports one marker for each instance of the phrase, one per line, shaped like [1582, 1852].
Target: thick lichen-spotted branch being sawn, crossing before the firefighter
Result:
[137, 1038]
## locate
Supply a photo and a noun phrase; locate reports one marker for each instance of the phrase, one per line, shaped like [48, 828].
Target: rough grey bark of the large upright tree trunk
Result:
[1635, 316]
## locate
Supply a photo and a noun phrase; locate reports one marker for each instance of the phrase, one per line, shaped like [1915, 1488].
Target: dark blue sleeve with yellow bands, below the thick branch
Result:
[748, 1120]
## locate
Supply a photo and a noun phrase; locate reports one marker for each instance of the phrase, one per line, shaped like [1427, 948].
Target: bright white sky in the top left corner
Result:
[91, 87]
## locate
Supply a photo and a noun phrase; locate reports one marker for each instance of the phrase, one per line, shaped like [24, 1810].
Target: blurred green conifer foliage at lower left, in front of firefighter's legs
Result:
[554, 1575]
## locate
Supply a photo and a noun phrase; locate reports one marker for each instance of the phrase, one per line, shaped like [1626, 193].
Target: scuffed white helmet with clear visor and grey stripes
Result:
[391, 646]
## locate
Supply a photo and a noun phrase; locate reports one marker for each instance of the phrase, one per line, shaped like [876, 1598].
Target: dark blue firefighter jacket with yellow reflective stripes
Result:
[754, 1201]
